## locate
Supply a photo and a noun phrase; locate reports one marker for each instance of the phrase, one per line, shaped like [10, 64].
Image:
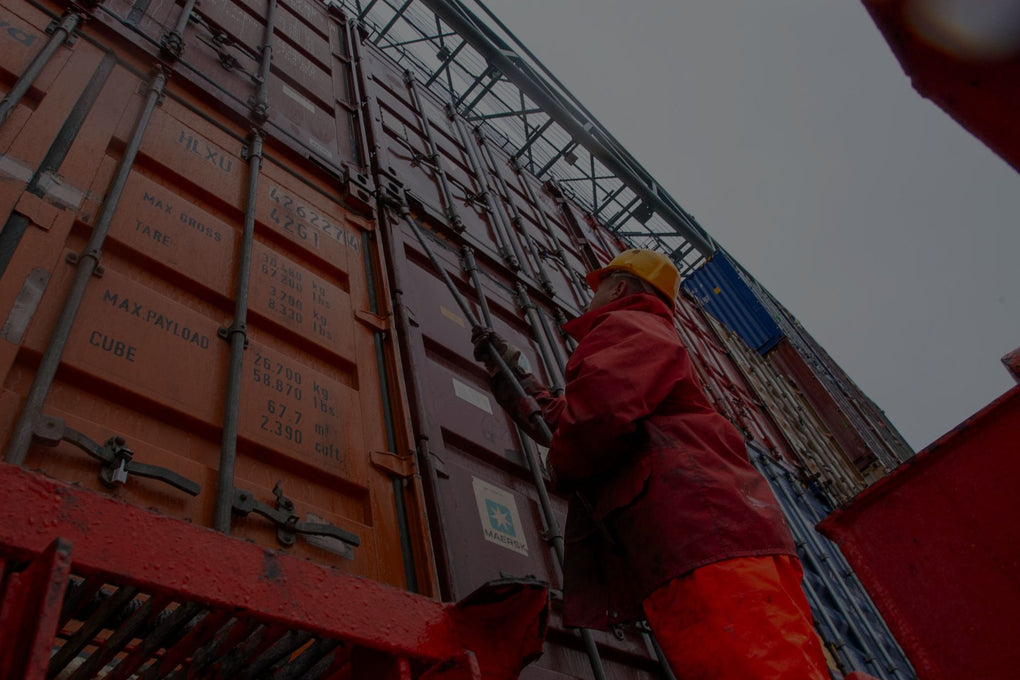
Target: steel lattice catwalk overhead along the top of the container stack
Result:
[478, 66]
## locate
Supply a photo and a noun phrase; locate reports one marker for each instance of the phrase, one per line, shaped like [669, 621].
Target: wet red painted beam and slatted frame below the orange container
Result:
[109, 588]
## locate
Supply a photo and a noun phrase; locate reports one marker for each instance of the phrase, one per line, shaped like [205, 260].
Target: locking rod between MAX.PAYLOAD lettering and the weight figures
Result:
[237, 336]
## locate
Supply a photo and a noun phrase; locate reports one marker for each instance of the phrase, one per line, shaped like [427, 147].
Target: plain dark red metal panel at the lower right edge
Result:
[936, 544]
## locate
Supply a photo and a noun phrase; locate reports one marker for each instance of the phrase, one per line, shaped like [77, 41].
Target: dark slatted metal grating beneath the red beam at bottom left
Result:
[110, 631]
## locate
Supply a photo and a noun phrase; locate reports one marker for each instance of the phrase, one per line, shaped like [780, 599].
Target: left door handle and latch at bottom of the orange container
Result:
[115, 455]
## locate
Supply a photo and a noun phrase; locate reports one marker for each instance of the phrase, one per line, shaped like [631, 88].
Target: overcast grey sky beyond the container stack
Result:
[790, 131]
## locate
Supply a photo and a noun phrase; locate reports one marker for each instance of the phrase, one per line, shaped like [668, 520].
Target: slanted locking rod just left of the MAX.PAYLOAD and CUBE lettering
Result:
[88, 265]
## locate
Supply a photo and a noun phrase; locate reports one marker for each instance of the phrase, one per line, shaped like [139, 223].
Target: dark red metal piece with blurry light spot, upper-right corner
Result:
[974, 81]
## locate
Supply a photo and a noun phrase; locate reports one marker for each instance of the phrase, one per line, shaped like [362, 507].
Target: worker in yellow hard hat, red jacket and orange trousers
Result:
[670, 521]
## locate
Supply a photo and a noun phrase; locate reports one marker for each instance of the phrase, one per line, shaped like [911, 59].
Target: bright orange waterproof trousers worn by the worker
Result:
[739, 619]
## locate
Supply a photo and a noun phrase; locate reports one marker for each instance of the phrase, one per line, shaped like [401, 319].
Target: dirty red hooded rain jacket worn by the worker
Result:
[667, 476]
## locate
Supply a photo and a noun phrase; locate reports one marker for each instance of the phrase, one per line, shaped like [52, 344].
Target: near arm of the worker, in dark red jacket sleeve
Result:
[622, 372]
